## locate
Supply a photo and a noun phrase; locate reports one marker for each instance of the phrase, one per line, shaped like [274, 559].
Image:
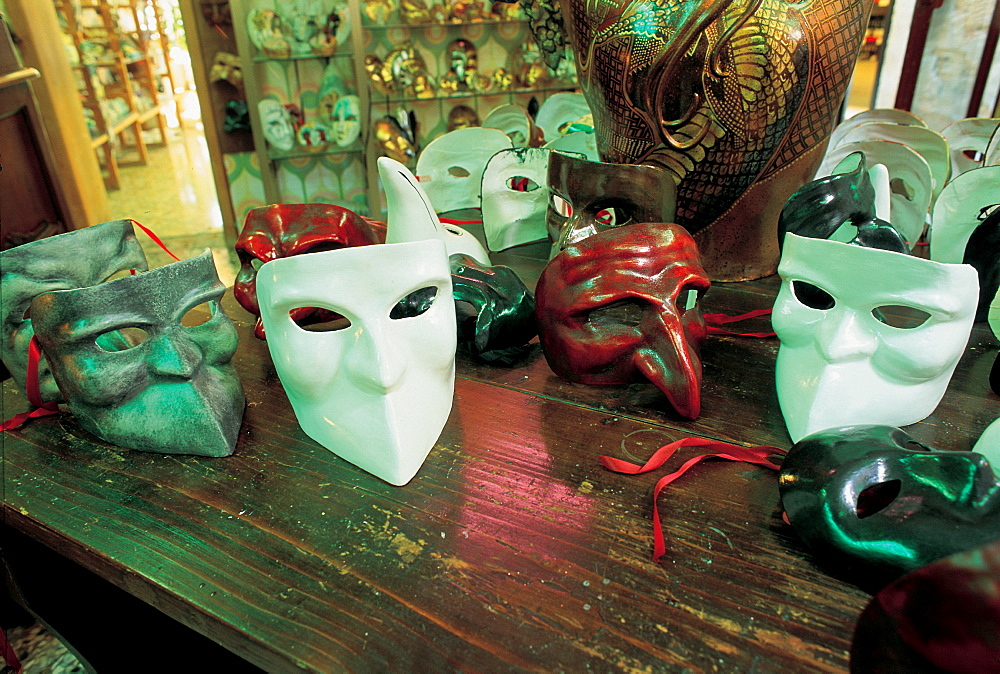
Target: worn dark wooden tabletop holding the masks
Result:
[511, 548]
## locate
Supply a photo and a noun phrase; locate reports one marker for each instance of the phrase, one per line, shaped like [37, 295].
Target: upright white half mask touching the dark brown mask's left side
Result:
[515, 197]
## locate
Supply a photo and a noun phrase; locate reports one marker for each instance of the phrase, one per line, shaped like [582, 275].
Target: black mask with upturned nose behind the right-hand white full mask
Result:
[843, 200]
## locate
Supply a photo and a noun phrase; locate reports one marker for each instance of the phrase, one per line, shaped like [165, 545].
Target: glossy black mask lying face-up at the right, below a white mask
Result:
[874, 499]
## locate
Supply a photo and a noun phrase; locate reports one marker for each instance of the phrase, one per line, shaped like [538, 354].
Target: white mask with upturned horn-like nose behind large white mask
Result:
[412, 216]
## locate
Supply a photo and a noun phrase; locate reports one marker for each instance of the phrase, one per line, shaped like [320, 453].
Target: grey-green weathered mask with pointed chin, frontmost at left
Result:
[133, 373]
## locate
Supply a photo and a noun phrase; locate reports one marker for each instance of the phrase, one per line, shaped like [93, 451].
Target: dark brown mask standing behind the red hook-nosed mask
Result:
[591, 197]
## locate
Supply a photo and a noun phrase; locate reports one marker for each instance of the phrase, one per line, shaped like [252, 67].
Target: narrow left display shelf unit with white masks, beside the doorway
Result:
[302, 68]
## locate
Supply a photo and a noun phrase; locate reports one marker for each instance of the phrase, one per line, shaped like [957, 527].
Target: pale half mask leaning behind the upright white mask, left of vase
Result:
[451, 167]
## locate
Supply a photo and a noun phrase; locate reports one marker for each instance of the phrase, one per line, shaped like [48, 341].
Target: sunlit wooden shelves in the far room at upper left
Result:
[122, 72]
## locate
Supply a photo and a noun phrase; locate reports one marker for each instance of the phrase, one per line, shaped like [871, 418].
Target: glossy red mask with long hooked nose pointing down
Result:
[622, 306]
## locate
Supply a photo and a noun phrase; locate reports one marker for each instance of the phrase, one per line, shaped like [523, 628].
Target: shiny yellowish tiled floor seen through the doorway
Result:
[174, 196]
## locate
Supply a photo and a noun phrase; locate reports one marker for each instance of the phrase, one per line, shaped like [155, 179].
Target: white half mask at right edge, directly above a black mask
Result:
[963, 205]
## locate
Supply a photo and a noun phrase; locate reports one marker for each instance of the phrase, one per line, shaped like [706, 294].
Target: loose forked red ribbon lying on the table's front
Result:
[723, 450]
